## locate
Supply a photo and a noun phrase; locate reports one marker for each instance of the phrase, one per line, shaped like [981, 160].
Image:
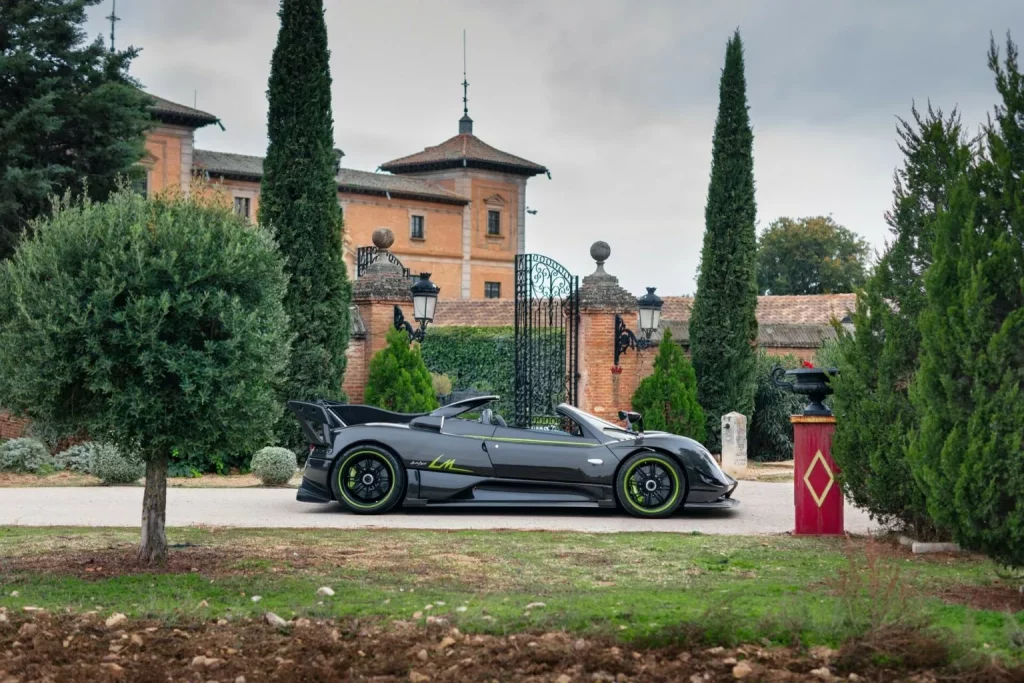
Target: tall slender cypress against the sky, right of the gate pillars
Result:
[724, 327]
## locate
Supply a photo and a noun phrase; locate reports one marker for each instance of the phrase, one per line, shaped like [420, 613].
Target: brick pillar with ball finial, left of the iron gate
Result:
[377, 292]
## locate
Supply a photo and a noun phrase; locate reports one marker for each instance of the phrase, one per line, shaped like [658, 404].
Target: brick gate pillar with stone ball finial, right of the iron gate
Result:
[605, 388]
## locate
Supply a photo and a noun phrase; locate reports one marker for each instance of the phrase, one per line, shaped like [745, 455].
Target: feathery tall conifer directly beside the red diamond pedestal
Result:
[879, 362]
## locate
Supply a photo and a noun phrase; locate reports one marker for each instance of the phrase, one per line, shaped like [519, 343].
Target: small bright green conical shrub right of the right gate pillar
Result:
[668, 398]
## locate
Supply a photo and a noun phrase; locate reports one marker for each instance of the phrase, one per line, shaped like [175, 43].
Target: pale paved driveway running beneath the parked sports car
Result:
[765, 508]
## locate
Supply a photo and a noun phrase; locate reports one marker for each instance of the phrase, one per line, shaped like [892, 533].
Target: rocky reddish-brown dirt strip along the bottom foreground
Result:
[79, 649]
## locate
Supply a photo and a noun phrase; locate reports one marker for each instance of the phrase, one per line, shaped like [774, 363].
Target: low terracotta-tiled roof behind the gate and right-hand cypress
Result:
[785, 314]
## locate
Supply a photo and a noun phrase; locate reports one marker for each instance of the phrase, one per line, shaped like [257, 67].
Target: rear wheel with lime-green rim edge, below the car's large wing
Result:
[368, 481]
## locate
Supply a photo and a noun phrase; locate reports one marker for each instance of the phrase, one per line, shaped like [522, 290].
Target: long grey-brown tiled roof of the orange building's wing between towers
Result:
[248, 167]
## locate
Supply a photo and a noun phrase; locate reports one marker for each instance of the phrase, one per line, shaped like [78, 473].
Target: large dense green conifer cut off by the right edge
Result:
[968, 451]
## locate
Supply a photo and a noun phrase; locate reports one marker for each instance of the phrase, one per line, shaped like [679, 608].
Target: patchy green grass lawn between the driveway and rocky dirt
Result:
[642, 588]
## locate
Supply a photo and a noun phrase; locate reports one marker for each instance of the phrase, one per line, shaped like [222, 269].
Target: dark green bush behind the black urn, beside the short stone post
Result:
[770, 438]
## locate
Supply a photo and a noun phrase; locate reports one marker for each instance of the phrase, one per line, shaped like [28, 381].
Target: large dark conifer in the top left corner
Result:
[71, 119]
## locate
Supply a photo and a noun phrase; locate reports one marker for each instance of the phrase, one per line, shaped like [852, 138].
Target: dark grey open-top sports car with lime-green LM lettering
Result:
[372, 460]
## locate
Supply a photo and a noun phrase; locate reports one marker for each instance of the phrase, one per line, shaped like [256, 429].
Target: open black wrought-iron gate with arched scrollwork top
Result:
[547, 339]
